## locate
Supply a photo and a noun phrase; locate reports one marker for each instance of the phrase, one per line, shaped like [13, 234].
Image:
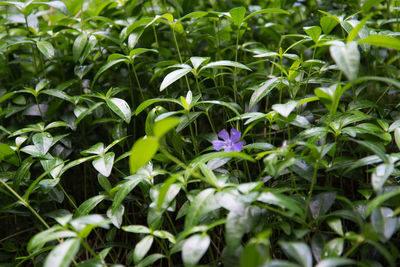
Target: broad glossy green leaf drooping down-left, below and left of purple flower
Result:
[203, 203]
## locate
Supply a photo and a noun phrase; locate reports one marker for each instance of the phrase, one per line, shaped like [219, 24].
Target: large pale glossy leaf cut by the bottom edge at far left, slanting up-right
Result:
[63, 254]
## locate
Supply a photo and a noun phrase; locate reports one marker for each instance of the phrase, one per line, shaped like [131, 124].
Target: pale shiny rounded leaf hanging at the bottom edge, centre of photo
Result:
[194, 248]
